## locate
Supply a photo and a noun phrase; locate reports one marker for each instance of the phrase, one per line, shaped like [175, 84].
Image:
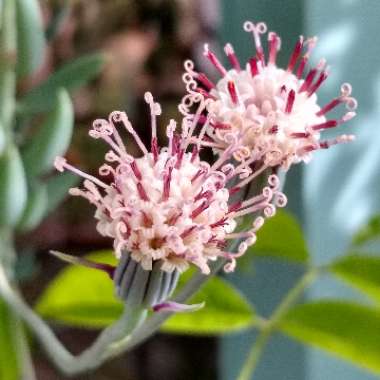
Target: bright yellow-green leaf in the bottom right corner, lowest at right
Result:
[347, 330]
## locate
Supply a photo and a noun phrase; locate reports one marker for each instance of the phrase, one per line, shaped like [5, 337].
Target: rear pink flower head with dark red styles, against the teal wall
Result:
[272, 111]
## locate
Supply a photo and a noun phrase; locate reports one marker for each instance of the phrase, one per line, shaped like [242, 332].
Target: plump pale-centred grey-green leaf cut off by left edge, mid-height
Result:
[13, 187]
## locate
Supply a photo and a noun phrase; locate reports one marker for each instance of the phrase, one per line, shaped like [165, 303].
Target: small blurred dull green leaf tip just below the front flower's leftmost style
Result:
[58, 187]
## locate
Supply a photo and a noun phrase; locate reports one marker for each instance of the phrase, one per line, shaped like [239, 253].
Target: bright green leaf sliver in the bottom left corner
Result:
[9, 366]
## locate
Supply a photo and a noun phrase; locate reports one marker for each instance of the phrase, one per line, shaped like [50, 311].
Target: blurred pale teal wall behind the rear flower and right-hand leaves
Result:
[334, 194]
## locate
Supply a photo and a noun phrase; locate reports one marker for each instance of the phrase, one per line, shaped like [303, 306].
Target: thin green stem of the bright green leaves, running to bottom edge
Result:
[268, 328]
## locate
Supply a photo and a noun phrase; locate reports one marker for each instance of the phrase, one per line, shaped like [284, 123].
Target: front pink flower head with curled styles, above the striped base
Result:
[168, 205]
